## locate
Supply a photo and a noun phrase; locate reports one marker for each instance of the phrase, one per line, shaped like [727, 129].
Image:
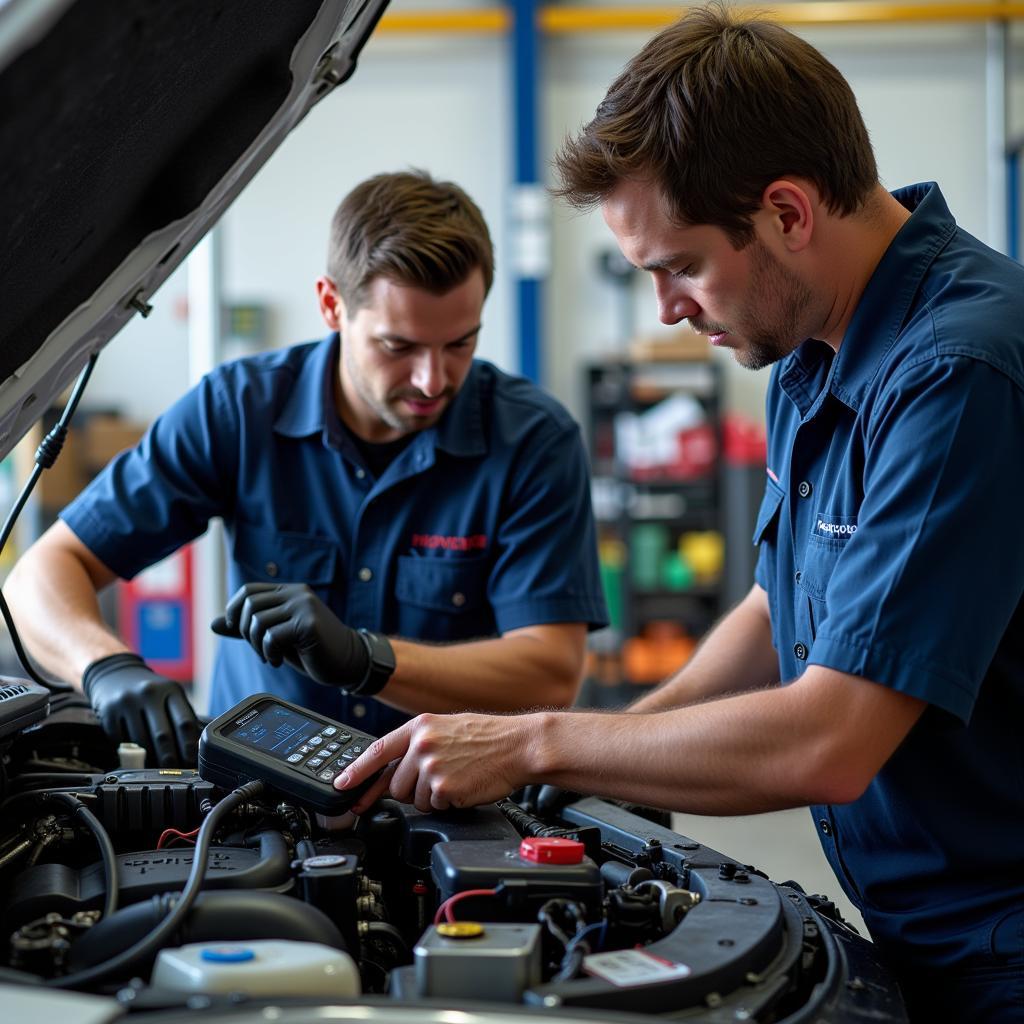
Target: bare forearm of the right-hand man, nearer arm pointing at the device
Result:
[818, 741]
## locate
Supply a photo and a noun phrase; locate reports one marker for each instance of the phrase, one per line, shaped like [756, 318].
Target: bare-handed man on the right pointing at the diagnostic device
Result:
[876, 669]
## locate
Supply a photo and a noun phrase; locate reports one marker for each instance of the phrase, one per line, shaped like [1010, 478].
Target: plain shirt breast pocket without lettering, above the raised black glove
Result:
[264, 556]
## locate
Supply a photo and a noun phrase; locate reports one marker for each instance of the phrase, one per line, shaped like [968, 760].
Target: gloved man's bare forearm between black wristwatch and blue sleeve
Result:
[539, 667]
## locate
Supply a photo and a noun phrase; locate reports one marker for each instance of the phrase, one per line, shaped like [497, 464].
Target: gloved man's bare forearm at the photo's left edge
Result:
[55, 606]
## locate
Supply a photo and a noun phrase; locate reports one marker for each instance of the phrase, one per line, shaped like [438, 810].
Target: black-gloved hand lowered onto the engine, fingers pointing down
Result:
[138, 705]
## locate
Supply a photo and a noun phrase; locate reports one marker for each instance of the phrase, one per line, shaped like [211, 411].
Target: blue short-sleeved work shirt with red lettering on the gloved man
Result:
[481, 526]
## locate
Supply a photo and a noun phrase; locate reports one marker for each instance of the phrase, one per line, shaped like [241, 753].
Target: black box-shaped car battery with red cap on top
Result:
[535, 871]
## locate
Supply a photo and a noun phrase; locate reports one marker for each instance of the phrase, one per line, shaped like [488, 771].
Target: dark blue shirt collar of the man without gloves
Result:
[883, 308]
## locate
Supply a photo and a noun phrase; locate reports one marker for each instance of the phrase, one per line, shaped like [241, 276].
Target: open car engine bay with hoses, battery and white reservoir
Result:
[585, 909]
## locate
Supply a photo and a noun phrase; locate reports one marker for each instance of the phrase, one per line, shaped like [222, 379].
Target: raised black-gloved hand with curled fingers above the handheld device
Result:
[288, 622]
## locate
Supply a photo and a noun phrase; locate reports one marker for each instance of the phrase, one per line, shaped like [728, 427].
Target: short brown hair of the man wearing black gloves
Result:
[410, 229]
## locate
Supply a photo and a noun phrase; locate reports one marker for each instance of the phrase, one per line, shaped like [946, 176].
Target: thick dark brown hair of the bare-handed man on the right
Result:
[713, 110]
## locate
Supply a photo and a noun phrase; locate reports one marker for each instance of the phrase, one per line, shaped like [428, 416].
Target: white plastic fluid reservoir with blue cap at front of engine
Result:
[264, 967]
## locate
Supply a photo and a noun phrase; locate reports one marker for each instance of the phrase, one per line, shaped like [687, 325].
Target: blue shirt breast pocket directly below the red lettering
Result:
[444, 599]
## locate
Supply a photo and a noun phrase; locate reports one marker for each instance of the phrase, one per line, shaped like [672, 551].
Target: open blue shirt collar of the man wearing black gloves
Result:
[311, 408]
